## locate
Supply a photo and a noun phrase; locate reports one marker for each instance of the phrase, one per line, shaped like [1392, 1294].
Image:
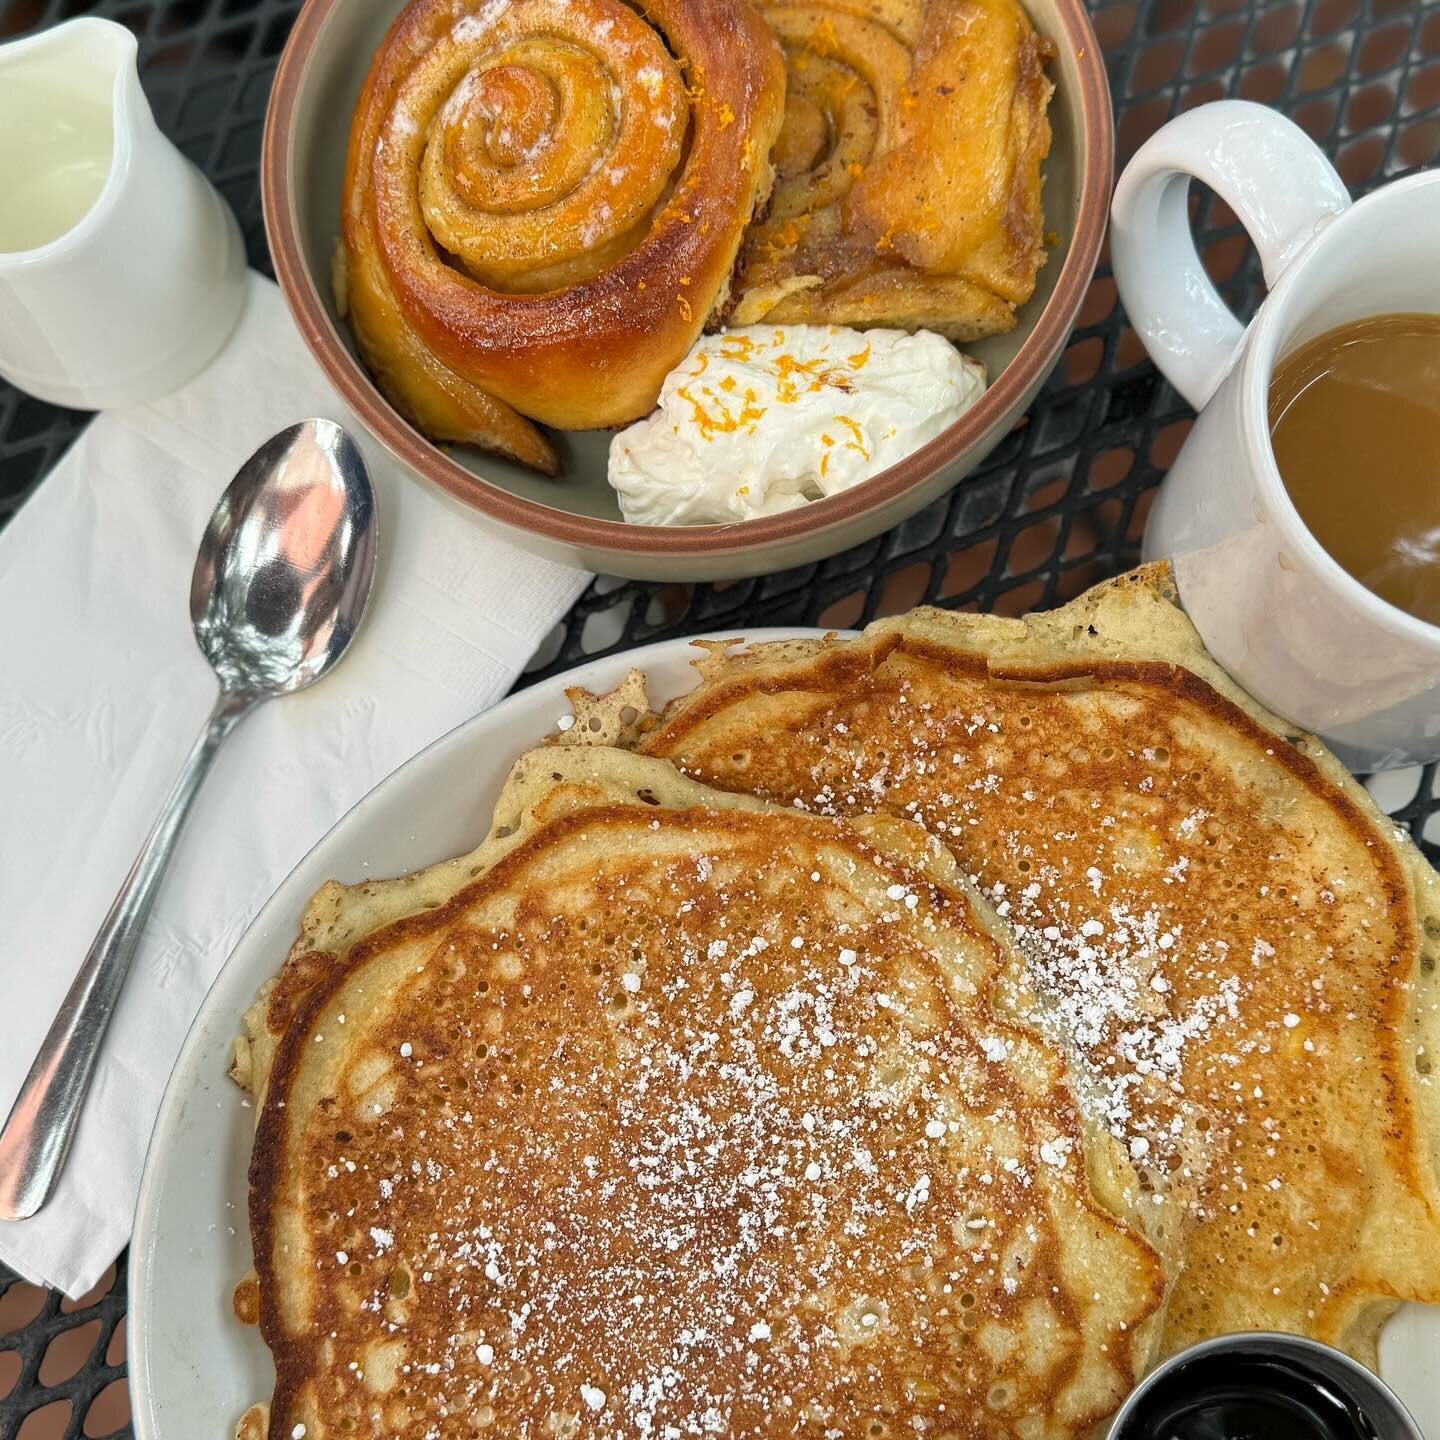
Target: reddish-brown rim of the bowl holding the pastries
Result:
[407, 444]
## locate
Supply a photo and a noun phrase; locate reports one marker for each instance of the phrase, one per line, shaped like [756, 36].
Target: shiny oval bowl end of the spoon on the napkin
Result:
[286, 564]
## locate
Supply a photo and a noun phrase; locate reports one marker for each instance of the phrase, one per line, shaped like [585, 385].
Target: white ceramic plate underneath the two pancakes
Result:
[194, 1369]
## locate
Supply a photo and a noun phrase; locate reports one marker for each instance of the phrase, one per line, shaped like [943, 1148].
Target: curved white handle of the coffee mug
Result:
[1269, 172]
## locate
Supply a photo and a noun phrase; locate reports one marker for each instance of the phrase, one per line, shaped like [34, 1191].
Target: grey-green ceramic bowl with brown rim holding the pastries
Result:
[575, 518]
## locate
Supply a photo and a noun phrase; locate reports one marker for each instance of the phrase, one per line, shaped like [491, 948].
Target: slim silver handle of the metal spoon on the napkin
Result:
[42, 1121]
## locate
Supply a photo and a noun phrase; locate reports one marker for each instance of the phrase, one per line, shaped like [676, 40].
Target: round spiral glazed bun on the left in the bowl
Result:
[544, 205]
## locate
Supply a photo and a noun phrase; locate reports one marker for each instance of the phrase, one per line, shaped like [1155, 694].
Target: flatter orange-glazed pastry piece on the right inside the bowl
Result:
[909, 168]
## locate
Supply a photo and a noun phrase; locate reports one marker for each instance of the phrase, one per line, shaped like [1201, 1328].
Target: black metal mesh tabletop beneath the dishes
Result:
[1059, 506]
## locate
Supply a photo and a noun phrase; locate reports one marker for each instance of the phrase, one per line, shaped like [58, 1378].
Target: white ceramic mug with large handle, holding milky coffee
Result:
[1272, 606]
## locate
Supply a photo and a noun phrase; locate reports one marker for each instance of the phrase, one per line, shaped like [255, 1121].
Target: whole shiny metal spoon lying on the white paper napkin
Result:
[280, 587]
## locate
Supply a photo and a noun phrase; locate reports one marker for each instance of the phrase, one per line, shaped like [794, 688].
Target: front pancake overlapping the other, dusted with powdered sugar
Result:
[680, 1115]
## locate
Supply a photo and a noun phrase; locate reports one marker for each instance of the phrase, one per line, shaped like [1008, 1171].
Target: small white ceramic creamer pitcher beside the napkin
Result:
[122, 270]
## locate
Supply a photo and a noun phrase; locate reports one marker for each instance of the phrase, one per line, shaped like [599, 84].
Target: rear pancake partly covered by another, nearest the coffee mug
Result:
[1238, 945]
